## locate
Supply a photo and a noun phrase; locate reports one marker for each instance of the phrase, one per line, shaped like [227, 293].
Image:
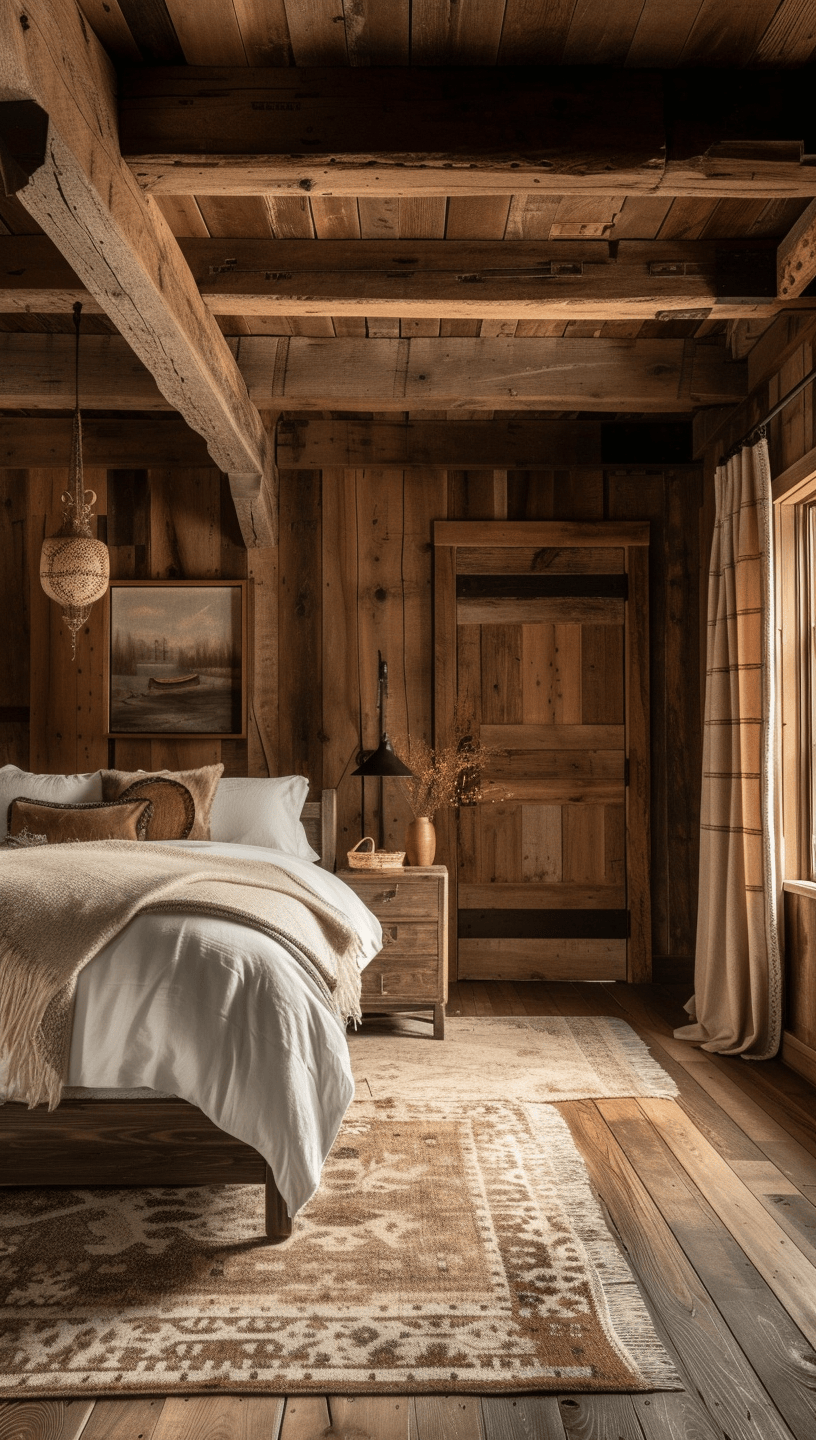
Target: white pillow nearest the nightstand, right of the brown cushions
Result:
[260, 811]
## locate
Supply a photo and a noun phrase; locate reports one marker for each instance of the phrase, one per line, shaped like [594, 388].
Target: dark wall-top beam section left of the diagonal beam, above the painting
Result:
[120, 444]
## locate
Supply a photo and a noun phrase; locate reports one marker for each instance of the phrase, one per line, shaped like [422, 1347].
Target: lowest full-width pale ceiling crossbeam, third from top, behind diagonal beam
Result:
[396, 375]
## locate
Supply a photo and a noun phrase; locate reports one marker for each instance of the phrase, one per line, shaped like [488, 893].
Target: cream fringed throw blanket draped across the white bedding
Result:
[60, 905]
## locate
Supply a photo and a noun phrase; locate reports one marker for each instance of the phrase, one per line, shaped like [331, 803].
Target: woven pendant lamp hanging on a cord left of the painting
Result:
[76, 567]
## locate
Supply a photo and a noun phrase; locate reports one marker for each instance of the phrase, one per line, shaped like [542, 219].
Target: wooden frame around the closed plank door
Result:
[559, 535]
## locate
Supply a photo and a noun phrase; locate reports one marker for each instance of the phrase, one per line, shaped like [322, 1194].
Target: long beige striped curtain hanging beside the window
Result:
[738, 1002]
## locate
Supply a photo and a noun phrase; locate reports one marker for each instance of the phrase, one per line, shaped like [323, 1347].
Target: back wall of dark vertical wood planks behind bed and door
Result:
[353, 575]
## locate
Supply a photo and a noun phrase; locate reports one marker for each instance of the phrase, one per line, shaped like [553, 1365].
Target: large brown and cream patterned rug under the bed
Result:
[444, 1252]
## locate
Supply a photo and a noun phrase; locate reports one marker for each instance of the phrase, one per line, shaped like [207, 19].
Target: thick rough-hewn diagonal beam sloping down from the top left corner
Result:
[119, 244]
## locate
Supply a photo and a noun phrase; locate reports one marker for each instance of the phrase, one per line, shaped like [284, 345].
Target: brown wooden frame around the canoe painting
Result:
[238, 690]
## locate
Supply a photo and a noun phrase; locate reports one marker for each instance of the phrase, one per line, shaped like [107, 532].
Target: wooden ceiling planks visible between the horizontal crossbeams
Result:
[634, 34]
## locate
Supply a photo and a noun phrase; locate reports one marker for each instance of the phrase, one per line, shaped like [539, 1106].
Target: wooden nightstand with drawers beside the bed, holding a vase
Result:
[411, 971]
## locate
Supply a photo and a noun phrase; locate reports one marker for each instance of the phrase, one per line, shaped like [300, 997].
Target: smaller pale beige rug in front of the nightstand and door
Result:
[548, 1058]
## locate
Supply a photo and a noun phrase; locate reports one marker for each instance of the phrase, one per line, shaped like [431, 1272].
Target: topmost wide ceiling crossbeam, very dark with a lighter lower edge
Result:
[468, 132]
